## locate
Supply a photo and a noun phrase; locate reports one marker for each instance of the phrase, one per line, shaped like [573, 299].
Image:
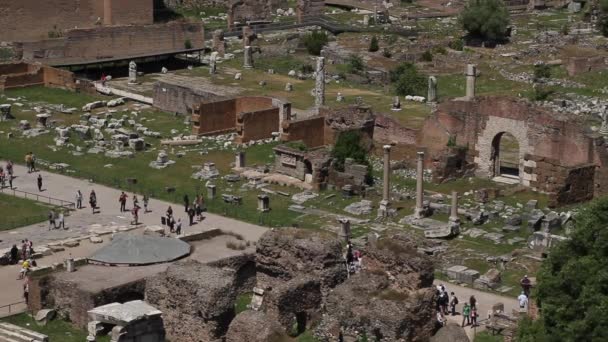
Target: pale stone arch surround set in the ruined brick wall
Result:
[488, 142]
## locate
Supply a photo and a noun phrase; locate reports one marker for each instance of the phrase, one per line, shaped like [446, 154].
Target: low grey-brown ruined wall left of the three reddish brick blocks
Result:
[174, 98]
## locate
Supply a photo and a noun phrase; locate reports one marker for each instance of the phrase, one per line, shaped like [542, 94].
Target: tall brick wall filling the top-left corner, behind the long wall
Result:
[28, 20]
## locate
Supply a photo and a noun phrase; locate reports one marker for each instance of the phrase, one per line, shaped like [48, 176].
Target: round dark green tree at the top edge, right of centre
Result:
[485, 19]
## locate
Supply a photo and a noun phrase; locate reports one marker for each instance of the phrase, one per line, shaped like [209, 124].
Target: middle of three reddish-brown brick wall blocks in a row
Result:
[257, 125]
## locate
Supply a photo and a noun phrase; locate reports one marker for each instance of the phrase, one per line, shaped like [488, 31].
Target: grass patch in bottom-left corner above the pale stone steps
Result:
[57, 330]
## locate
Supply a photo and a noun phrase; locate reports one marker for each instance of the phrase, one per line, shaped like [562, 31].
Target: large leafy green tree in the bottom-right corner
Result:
[572, 291]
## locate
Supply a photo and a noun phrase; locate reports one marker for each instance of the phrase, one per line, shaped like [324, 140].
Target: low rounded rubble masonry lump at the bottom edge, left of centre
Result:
[254, 326]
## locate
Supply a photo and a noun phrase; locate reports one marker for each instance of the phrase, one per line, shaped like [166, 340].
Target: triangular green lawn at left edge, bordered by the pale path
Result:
[18, 212]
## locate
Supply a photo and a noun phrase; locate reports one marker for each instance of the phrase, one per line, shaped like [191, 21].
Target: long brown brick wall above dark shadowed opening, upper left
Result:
[115, 42]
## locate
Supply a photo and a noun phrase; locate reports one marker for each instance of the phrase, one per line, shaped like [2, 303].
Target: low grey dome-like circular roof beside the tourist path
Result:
[138, 250]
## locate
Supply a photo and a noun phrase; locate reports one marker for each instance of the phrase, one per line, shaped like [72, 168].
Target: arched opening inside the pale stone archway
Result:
[505, 156]
